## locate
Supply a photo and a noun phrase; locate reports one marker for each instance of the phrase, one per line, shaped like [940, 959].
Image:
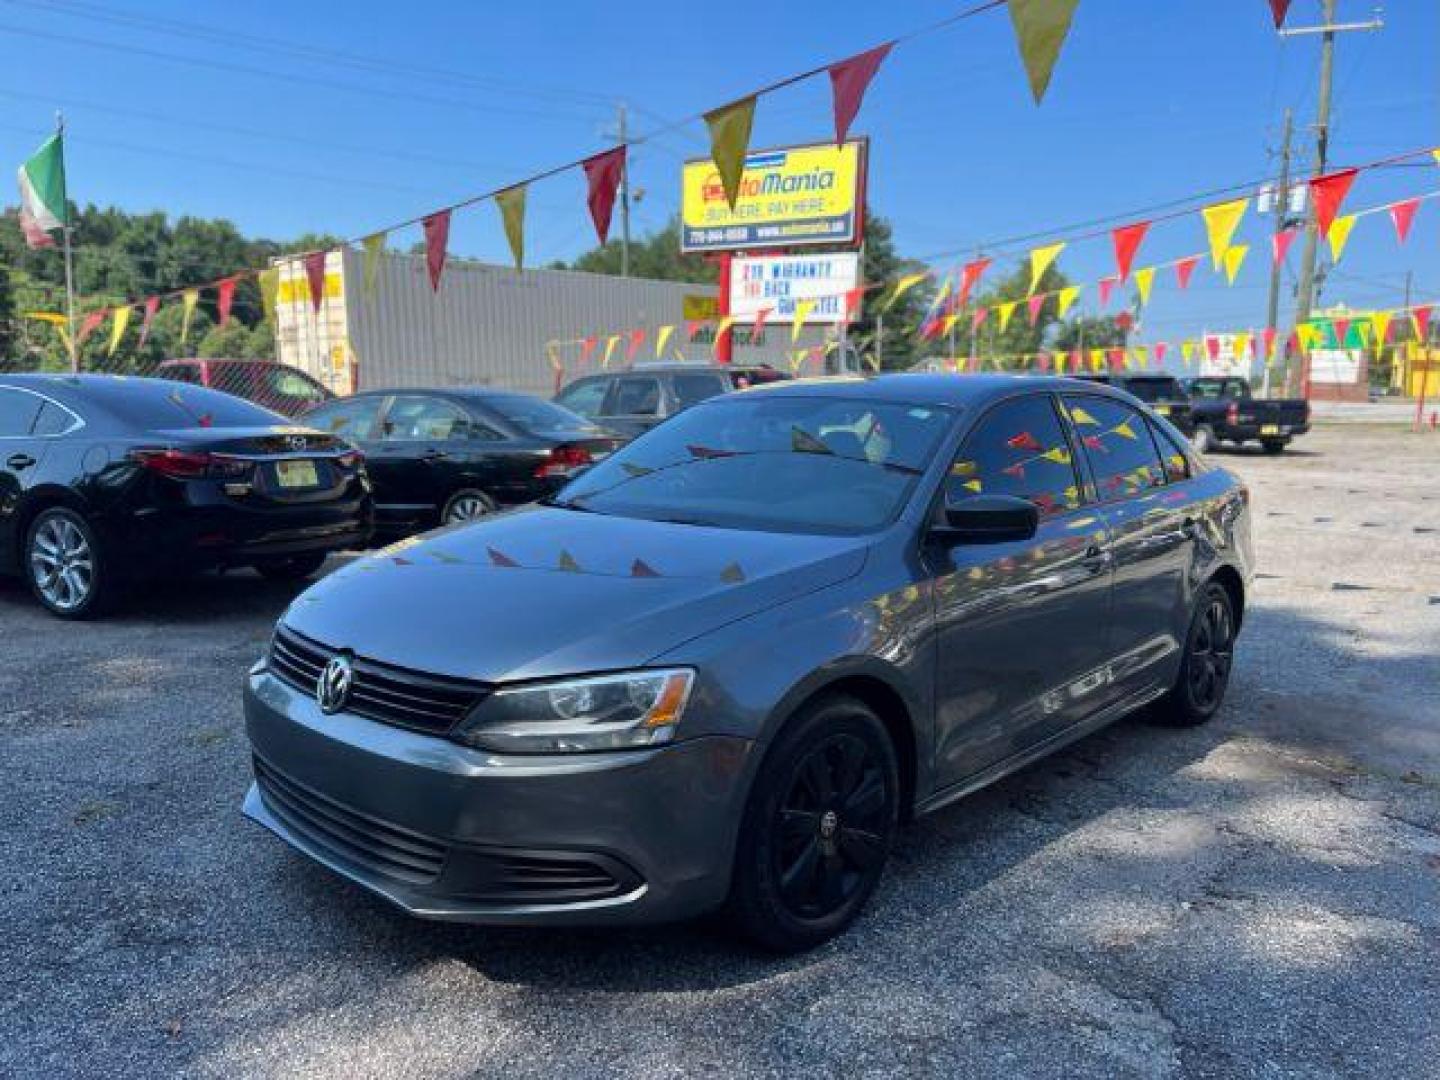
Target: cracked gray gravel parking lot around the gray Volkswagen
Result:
[1256, 898]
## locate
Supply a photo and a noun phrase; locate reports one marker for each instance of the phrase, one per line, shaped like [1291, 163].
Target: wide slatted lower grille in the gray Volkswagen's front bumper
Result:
[355, 837]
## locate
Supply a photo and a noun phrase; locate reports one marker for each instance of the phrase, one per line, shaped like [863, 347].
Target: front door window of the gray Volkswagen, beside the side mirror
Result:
[1019, 449]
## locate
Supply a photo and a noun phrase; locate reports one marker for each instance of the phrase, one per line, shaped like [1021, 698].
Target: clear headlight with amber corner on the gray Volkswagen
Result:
[577, 715]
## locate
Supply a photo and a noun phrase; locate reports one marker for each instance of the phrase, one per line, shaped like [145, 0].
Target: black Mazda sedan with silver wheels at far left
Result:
[107, 482]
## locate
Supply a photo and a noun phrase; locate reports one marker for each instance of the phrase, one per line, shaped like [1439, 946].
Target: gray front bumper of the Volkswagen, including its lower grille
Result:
[463, 836]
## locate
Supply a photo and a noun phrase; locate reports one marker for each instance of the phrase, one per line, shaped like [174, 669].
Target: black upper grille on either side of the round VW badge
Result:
[381, 692]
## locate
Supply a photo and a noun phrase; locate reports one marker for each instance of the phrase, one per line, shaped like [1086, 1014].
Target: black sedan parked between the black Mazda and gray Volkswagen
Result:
[441, 457]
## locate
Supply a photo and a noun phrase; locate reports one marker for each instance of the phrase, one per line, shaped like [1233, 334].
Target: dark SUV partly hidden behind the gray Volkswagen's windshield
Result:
[637, 400]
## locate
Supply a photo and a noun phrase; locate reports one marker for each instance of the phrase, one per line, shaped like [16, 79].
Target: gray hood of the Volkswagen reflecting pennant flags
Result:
[544, 593]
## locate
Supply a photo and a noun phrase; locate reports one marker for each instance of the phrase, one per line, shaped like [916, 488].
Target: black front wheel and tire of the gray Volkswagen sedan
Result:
[817, 829]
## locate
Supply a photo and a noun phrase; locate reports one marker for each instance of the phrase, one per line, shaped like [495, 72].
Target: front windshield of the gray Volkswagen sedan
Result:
[775, 464]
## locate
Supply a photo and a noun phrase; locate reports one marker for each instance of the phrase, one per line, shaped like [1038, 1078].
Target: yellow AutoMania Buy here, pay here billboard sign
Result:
[788, 198]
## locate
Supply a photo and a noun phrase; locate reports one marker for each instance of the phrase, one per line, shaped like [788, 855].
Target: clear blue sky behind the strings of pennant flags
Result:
[194, 109]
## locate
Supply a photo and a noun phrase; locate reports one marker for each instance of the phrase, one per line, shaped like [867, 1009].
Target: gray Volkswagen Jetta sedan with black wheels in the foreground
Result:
[724, 666]
